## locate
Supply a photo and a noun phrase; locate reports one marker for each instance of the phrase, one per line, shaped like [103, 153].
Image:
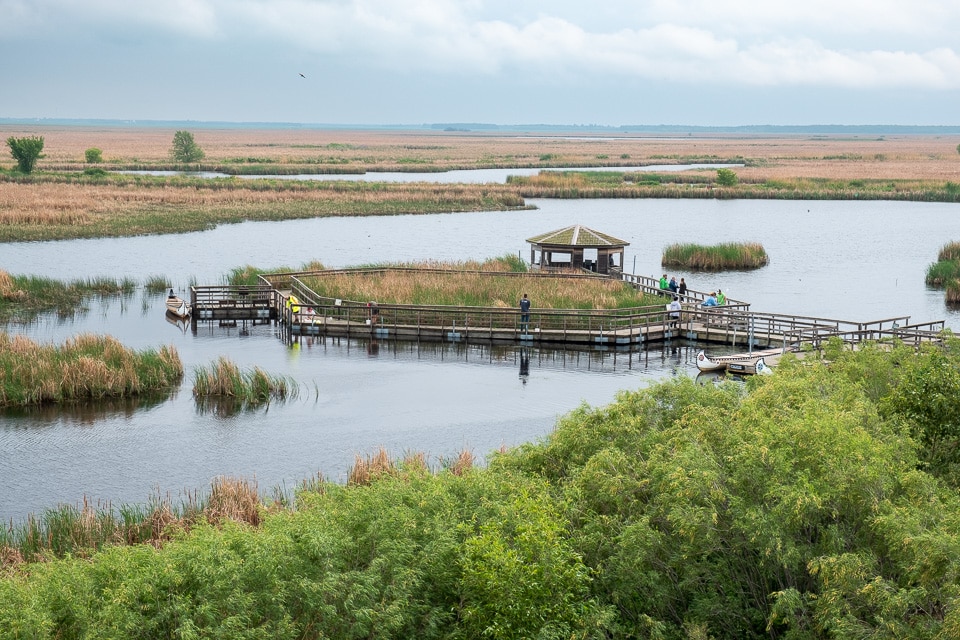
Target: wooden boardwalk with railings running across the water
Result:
[733, 324]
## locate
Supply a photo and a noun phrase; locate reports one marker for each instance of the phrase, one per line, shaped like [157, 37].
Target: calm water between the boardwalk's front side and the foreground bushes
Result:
[354, 397]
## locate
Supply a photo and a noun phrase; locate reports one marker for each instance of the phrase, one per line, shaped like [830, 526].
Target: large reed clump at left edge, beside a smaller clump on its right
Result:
[85, 367]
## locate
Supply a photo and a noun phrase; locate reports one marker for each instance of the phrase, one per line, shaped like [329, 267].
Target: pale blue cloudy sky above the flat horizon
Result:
[581, 62]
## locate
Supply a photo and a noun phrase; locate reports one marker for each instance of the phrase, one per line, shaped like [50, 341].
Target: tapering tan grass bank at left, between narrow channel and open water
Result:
[48, 208]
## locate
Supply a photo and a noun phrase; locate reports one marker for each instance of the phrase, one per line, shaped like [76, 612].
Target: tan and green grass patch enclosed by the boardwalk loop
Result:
[458, 285]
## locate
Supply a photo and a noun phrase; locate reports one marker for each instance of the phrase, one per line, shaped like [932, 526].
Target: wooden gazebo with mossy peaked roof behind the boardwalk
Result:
[577, 247]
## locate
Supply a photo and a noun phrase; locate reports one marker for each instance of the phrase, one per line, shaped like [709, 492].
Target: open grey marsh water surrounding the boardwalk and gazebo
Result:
[851, 260]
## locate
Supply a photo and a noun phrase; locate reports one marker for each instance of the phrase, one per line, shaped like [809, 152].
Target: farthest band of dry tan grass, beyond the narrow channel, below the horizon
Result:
[930, 157]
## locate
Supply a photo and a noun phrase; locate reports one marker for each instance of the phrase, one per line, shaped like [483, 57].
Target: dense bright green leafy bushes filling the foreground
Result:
[816, 503]
